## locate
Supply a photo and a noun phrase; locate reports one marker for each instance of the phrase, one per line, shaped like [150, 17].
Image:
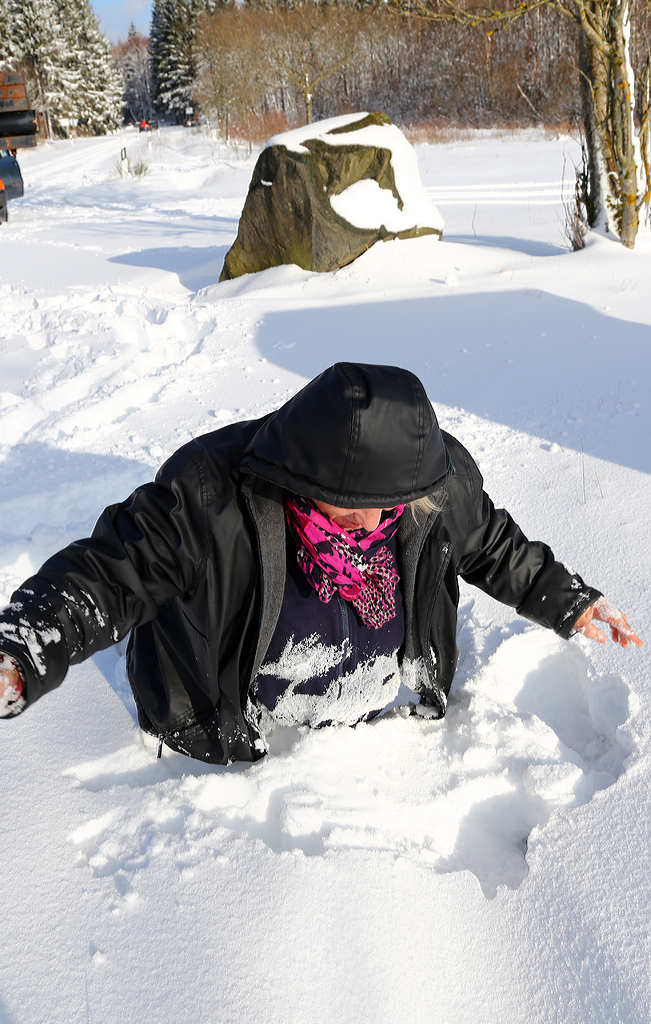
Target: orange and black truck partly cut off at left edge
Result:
[18, 130]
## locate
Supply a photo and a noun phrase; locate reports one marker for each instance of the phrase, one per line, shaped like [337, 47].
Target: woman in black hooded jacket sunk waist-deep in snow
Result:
[292, 569]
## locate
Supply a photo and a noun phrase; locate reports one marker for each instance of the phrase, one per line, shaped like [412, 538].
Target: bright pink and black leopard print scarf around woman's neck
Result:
[356, 565]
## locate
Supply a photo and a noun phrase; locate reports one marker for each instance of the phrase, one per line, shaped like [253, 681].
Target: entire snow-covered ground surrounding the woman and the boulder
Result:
[493, 867]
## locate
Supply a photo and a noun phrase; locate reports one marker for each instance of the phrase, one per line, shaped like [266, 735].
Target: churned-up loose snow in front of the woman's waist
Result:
[535, 731]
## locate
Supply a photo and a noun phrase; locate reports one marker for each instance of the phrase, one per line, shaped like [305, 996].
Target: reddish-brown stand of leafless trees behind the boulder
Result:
[253, 64]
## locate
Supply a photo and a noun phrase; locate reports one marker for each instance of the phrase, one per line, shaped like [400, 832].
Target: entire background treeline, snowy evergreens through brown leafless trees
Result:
[257, 67]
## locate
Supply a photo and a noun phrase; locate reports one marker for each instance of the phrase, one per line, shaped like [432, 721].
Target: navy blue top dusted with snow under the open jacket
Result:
[325, 652]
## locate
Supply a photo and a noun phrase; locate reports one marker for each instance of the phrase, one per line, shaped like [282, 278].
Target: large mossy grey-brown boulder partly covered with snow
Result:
[322, 195]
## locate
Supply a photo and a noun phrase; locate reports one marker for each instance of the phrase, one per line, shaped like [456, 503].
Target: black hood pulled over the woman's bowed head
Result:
[358, 437]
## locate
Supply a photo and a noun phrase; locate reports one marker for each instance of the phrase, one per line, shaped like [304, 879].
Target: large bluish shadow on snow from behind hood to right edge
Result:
[532, 361]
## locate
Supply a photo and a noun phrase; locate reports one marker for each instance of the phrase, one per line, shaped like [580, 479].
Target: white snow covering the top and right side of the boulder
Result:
[366, 204]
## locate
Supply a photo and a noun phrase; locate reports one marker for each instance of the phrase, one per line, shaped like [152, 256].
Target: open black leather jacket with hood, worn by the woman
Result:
[194, 564]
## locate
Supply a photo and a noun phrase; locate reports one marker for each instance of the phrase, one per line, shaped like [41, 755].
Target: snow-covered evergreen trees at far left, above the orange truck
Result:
[71, 75]
